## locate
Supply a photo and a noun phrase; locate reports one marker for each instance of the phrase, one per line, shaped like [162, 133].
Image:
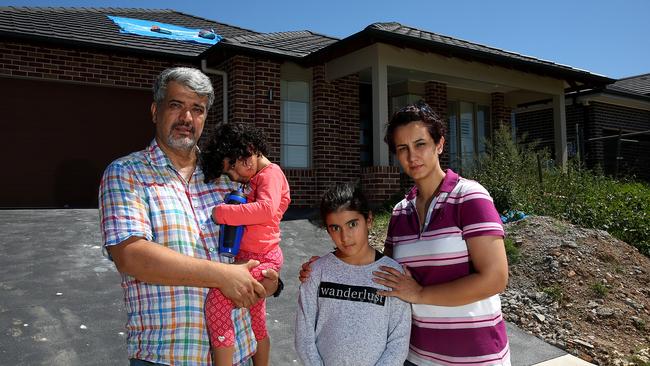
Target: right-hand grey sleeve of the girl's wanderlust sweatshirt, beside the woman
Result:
[399, 334]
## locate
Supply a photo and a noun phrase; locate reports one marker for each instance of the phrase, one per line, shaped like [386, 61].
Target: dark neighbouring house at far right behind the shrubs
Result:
[608, 128]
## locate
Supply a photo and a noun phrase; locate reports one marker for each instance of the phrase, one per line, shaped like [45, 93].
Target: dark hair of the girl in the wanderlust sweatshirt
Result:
[343, 197]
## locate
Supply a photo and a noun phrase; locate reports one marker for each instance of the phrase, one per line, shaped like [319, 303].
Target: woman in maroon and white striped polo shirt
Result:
[448, 235]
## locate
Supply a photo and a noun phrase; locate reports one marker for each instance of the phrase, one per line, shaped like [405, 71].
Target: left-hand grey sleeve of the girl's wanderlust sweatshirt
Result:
[305, 332]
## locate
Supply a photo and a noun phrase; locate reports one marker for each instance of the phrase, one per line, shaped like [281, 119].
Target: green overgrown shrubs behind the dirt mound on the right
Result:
[521, 178]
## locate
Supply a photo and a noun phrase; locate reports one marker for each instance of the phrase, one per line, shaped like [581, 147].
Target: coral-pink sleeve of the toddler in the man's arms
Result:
[268, 197]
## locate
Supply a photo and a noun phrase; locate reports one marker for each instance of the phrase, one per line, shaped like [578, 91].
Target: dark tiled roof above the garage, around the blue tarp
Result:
[92, 27]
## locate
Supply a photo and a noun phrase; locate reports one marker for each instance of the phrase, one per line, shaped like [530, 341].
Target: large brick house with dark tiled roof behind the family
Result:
[79, 101]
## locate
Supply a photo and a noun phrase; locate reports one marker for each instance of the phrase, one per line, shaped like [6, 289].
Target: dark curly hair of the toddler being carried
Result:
[230, 141]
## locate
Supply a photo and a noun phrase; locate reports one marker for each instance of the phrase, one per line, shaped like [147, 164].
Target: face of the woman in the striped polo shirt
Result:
[416, 151]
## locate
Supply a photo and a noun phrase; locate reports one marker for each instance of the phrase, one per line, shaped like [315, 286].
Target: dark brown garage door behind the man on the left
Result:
[58, 138]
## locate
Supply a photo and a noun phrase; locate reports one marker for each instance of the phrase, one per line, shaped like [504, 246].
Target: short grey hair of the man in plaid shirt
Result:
[187, 76]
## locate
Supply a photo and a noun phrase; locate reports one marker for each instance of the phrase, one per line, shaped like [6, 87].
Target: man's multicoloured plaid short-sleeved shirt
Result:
[143, 195]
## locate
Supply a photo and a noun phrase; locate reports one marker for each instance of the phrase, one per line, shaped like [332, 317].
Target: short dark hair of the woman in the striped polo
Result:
[420, 111]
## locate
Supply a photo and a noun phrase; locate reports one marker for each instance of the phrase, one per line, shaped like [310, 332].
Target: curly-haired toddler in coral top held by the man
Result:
[240, 152]
